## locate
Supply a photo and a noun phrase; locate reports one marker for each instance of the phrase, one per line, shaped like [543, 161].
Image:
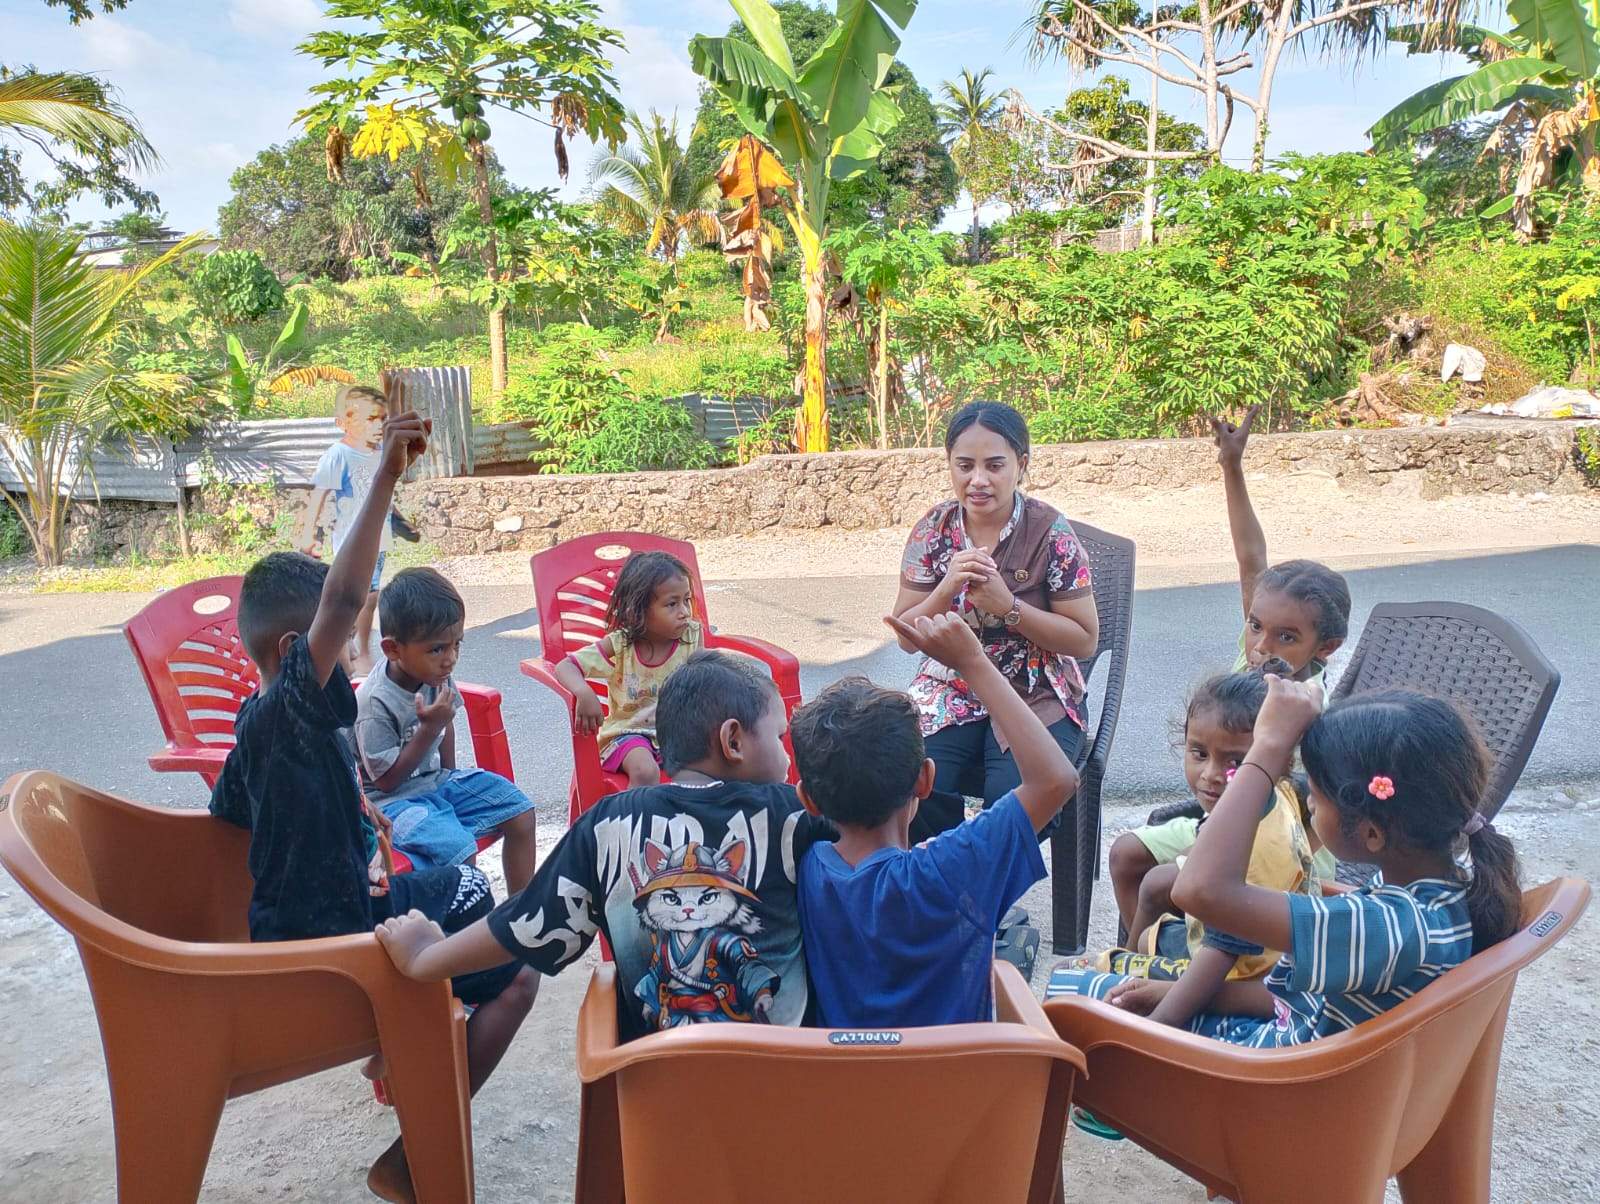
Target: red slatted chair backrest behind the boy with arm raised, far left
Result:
[193, 660]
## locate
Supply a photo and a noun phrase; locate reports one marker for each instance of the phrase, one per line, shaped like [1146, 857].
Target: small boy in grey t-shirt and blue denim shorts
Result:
[406, 739]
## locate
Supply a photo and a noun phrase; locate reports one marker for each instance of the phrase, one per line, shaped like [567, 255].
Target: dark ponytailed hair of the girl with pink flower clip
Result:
[1439, 769]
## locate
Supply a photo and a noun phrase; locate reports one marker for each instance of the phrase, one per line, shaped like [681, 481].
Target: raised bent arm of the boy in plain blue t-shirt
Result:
[1049, 779]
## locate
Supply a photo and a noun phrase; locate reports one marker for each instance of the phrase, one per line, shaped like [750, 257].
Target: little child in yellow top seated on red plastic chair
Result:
[650, 633]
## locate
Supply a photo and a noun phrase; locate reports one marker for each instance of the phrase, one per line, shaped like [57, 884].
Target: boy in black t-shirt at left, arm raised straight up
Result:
[292, 779]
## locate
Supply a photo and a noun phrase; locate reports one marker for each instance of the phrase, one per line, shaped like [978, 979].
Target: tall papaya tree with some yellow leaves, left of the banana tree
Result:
[425, 76]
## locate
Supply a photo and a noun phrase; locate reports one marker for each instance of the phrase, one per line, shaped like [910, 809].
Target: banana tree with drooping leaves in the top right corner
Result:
[1546, 66]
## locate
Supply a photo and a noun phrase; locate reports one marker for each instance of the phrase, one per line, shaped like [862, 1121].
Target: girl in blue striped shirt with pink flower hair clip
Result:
[1396, 781]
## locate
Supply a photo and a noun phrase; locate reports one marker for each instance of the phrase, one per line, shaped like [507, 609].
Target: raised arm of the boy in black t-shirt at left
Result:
[351, 577]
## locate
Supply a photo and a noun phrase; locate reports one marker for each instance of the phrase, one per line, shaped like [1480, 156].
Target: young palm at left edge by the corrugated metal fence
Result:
[65, 380]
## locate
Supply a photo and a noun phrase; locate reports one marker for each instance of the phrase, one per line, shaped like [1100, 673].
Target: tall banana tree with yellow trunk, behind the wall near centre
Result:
[826, 119]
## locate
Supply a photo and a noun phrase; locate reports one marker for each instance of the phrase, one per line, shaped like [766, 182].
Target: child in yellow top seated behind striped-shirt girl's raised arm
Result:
[1218, 734]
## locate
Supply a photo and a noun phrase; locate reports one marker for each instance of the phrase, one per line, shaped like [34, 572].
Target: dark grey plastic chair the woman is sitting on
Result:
[1076, 845]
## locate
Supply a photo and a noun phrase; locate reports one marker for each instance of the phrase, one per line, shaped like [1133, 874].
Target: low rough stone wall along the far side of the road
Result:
[892, 489]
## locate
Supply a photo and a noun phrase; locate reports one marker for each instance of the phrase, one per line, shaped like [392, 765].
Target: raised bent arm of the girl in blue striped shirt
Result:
[1212, 885]
